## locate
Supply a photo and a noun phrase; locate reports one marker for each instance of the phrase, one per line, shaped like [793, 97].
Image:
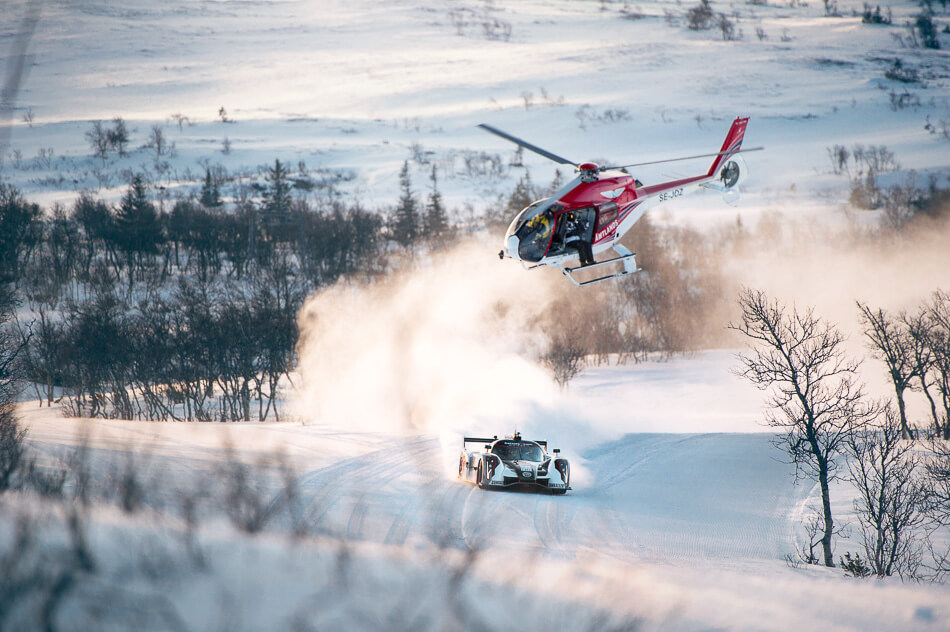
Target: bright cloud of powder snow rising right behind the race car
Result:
[446, 346]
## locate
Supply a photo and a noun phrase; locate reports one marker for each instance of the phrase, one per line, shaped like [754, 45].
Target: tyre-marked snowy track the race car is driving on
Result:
[718, 498]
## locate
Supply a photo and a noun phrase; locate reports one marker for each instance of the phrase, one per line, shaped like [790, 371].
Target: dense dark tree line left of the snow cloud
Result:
[136, 312]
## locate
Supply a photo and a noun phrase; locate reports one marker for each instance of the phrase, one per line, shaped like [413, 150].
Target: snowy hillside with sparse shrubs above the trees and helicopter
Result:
[364, 86]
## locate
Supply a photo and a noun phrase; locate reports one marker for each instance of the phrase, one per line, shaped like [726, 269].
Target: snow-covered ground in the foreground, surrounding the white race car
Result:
[681, 529]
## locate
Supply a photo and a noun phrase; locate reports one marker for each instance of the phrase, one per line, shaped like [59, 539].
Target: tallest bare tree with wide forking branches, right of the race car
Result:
[815, 394]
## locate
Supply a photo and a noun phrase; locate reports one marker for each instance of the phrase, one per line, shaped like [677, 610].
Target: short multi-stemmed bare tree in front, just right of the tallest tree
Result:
[891, 496]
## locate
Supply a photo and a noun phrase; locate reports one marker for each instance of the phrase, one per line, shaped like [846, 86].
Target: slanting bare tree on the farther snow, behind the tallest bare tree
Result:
[891, 343]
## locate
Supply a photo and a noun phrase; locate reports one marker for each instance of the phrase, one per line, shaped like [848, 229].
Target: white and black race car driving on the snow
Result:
[513, 461]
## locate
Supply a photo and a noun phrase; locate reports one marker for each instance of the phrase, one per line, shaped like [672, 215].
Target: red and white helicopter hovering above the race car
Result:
[591, 213]
